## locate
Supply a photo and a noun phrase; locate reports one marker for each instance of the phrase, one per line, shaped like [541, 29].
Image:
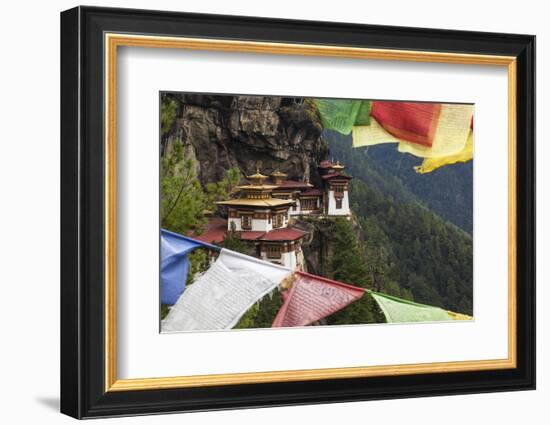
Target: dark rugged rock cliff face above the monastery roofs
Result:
[247, 132]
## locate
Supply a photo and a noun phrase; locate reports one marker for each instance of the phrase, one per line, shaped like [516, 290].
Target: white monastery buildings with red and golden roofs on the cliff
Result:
[261, 212]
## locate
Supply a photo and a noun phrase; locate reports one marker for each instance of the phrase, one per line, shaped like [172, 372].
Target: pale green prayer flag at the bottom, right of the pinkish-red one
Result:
[397, 310]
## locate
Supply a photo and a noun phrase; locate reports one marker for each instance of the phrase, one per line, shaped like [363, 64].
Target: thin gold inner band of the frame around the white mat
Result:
[114, 41]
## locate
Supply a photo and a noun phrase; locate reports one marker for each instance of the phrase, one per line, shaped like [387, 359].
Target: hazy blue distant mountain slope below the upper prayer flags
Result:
[447, 191]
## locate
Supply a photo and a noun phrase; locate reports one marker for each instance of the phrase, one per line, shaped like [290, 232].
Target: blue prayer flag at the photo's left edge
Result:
[174, 264]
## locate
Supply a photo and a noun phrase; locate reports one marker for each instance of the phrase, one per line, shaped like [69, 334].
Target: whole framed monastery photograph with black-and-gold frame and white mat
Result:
[261, 212]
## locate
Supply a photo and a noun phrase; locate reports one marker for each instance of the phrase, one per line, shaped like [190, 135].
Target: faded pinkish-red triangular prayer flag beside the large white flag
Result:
[312, 298]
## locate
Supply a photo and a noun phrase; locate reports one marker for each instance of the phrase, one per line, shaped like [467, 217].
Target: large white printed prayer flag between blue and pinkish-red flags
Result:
[220, 296]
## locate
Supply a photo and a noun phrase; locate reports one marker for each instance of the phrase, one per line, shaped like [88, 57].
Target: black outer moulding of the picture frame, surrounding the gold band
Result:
[82, 212]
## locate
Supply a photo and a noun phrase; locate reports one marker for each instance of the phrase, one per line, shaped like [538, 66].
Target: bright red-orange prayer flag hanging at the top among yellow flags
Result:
[410, 121]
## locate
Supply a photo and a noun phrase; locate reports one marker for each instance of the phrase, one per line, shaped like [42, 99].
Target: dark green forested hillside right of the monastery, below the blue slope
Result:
[413, 253]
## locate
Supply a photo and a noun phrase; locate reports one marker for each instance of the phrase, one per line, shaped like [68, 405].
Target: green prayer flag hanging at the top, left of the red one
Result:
[342, 115]
